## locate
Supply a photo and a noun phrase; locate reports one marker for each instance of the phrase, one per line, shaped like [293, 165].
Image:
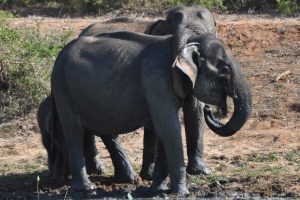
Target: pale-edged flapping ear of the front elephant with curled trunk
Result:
[184, 66]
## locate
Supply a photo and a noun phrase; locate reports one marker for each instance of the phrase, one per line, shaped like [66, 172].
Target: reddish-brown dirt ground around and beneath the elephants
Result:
[261, 160]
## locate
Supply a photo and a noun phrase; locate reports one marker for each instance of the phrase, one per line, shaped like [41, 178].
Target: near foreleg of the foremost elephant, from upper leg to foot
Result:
[167, 127]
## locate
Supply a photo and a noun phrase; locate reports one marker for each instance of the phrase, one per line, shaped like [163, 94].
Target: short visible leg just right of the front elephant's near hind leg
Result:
[92, 159]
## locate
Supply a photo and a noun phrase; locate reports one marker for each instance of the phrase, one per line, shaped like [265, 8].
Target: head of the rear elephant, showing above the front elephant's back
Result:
[183, 22]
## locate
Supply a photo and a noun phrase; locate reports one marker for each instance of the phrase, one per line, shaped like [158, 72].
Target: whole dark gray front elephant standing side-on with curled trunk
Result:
[117, 82]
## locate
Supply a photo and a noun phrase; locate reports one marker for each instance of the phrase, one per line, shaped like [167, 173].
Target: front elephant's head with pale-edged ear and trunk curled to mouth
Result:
[212, 75]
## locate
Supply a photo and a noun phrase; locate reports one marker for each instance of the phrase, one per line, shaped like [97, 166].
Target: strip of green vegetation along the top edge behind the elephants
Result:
[286, 7]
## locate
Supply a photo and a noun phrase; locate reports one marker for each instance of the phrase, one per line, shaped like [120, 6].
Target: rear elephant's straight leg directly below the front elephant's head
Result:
[193, 122]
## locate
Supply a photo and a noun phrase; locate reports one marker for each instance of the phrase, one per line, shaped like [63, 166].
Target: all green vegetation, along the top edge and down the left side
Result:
[26, 58]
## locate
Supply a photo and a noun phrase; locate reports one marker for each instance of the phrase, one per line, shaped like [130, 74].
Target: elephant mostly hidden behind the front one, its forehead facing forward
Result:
[182, 22]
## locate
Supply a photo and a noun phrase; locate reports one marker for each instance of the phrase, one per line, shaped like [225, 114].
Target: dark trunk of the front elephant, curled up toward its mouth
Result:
[242, 110]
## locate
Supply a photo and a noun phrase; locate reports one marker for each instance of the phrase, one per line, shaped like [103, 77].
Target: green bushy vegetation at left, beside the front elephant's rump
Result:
[26, 60]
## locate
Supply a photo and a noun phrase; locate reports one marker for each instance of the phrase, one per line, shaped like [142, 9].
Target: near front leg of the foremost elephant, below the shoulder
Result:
[168, 130]
